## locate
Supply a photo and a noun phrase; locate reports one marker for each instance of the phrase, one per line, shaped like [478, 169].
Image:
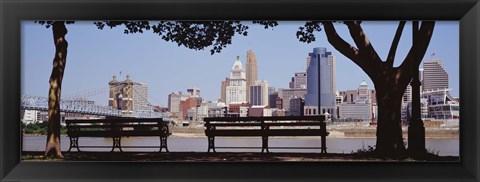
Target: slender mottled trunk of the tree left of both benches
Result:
[53, 147]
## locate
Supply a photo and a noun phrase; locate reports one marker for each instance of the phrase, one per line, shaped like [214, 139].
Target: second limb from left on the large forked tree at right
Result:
[361, 40]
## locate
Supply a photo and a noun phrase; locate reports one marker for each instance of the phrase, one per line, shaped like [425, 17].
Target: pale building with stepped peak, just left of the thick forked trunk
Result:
[360, 108]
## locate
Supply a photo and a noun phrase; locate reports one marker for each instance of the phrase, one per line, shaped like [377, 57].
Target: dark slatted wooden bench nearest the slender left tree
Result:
[116, 128]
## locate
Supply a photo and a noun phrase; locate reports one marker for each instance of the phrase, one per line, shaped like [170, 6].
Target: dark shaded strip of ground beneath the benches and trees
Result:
[218, 157]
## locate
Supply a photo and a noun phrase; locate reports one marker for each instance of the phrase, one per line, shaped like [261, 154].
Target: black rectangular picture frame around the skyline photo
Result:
[12, 12]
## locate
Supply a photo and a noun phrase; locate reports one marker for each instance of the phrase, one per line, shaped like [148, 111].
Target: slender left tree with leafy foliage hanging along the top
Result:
[195, 35]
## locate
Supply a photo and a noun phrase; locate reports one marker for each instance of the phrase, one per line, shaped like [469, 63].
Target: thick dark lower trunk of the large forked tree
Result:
[389, 125]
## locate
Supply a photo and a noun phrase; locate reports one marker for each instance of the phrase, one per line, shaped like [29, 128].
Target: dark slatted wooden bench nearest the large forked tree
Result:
[265, 127]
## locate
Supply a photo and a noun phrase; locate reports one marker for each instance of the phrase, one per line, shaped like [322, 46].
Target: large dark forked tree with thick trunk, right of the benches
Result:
[390, 82]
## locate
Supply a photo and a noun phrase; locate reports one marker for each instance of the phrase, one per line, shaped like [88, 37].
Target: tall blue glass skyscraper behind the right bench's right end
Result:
[327, 82]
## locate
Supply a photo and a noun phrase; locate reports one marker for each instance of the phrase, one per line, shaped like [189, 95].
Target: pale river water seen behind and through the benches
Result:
[444, 147]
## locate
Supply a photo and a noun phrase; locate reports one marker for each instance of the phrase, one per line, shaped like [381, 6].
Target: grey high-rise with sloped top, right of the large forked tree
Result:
[435, 77]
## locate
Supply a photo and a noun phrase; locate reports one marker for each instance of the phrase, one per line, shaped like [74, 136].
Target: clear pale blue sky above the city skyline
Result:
[94, 56]
